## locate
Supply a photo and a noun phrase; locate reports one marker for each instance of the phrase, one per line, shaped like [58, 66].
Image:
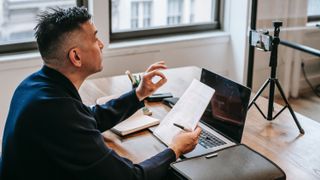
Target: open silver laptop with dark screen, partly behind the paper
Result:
[223, 121]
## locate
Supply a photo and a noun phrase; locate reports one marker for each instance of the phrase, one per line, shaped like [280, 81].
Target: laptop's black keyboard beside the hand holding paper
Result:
[208, 140]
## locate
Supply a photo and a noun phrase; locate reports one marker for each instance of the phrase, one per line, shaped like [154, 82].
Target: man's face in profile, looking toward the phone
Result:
[91, 48]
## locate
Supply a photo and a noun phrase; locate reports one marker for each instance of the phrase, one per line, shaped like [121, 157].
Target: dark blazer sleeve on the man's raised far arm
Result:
[116, 110]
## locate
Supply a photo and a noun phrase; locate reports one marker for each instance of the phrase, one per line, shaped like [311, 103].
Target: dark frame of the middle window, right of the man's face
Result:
[166, 31]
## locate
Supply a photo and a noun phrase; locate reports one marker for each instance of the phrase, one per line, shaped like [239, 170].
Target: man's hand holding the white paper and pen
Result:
[185, 142]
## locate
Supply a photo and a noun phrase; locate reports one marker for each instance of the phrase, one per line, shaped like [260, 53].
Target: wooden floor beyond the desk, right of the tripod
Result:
[308, 104]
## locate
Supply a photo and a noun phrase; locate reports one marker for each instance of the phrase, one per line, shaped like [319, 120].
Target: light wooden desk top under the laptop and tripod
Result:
[279, 140]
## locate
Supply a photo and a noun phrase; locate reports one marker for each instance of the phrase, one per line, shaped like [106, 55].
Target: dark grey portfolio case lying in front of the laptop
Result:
[236, 162]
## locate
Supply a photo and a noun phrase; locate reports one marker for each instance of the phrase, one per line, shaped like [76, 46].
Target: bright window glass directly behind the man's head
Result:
[18, 18]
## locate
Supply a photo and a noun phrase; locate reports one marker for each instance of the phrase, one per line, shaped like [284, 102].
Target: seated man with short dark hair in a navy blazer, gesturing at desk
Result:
[51, 134]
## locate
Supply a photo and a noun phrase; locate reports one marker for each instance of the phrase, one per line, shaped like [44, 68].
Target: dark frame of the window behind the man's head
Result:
[29, 45]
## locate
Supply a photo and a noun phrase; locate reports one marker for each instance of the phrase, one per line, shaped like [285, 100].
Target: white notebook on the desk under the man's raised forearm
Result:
[136, 122]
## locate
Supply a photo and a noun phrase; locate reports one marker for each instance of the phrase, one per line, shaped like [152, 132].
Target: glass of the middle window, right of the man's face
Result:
[146, 14]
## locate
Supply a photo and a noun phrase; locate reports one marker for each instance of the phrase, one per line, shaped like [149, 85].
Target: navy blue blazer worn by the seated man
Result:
[51, 134]
